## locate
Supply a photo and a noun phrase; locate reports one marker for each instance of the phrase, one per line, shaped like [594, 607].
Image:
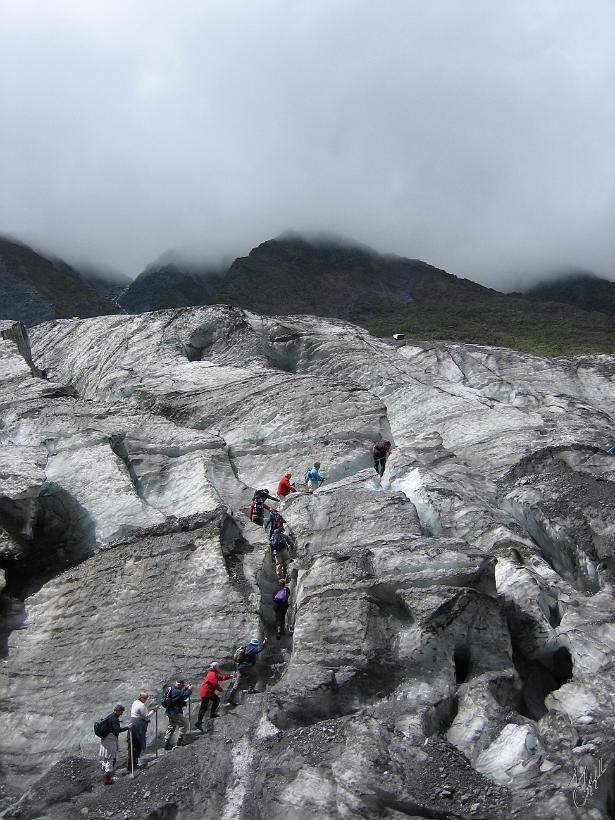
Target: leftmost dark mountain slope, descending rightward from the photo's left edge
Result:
[35, 289]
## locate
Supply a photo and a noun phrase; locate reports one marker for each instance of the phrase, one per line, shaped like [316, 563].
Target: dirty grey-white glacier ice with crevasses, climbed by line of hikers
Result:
[451, 651]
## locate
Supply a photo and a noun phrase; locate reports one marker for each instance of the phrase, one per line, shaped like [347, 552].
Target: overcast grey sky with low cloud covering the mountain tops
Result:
[478, 135]
